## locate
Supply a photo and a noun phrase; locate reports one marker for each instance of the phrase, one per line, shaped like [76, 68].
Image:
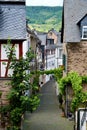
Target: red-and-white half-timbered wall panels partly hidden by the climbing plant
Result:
[5, 71]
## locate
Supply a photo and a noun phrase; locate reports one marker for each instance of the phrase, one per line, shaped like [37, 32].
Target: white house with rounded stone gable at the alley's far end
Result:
[53, 48]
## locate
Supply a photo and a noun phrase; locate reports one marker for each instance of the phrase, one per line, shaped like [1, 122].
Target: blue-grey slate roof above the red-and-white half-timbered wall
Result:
[12, 21]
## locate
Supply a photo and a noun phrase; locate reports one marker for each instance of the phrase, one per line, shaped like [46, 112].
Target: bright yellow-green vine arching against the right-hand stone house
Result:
[75, 81]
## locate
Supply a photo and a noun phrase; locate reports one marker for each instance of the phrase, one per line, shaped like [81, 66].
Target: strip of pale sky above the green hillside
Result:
[44, 2]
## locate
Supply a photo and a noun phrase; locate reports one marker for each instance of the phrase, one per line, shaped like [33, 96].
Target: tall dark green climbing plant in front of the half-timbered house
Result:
[19, 103]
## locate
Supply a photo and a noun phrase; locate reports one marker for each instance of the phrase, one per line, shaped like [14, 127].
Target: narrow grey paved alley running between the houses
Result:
[48, 115]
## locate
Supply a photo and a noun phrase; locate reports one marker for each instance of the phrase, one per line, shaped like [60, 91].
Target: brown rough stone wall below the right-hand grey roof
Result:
[77, 57]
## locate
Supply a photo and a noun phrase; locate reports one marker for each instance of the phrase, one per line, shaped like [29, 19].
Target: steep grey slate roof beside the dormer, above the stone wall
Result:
[74, 11]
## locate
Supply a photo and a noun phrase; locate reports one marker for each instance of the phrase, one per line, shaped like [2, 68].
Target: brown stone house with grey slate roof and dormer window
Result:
[74, 38]
